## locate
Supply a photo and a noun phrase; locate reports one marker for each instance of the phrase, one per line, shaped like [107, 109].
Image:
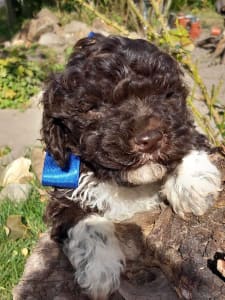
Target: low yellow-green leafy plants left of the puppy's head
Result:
[22, 72]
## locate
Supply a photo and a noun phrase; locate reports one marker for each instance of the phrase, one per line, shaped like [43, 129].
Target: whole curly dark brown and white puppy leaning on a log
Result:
[120, 104]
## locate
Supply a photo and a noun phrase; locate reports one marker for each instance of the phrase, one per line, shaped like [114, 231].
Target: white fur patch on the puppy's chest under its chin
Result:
[116, 203]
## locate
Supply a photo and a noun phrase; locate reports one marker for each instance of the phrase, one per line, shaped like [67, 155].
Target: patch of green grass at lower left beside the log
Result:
[11, 258]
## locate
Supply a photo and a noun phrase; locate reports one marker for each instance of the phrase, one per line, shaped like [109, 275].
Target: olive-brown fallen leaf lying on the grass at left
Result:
[16, 227]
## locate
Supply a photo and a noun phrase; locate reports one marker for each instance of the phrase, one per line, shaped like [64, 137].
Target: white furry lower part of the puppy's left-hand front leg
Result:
[94, 251]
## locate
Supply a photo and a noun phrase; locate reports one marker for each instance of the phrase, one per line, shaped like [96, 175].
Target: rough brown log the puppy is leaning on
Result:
[184, 259]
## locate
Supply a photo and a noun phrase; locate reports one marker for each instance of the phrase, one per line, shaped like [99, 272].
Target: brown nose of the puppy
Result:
[148, 140]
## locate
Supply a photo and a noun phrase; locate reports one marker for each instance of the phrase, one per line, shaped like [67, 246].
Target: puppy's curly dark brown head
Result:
[118, 104]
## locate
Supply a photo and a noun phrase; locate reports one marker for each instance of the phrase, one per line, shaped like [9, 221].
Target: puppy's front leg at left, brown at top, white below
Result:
[90, 243]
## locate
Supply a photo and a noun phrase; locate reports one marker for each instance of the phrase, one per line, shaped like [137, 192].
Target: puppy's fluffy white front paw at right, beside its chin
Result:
[194, 186]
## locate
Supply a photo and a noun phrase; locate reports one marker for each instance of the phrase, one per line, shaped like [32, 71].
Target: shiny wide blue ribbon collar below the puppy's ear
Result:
[53, 175]
